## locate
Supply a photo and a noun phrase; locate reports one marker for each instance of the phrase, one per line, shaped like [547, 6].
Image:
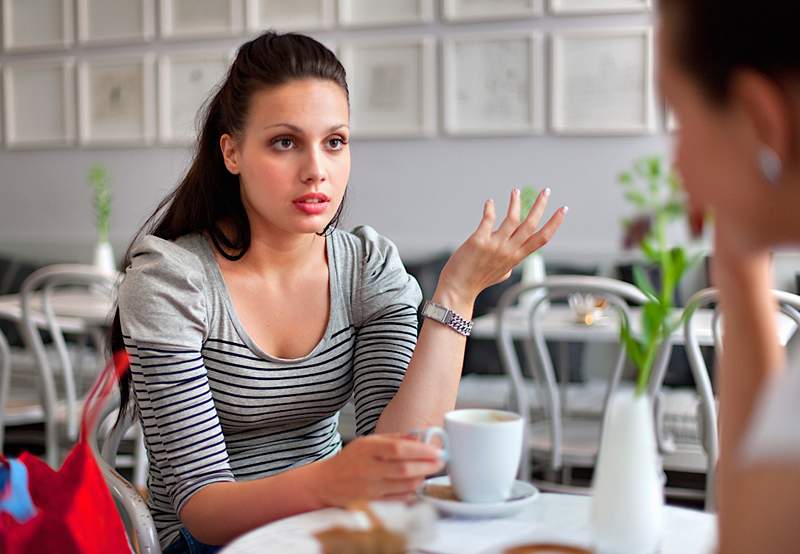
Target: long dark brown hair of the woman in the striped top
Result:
[208, 199]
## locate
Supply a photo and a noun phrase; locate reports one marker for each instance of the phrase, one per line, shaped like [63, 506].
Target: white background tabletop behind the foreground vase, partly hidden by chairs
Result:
[558, 323]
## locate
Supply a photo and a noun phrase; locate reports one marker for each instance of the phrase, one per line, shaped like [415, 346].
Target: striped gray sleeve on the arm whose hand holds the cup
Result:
[163, 316]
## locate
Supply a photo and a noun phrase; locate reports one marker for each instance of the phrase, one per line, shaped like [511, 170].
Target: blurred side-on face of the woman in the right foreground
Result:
[716, 148]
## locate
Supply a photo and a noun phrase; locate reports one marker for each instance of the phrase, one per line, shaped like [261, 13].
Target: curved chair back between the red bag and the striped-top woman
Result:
[137, 518]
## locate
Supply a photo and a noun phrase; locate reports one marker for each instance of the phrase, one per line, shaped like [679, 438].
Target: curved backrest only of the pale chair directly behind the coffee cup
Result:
[537, 358]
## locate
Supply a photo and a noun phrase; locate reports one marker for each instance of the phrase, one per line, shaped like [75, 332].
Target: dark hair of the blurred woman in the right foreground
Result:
[714, 38]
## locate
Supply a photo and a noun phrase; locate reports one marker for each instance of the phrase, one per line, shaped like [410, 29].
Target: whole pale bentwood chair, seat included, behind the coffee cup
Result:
[557, 439]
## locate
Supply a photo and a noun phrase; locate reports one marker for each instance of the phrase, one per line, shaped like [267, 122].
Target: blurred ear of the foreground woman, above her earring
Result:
[767, 110]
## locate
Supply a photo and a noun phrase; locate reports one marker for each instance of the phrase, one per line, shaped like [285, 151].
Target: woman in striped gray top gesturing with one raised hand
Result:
[250, 319]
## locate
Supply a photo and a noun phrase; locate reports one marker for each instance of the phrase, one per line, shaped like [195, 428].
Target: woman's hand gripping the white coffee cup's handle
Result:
[375, 467]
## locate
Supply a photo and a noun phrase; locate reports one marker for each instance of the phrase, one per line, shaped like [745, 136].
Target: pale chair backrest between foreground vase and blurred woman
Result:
[788, 304]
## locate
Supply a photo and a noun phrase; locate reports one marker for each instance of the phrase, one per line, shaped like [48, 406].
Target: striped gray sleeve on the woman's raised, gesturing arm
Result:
[387, 299]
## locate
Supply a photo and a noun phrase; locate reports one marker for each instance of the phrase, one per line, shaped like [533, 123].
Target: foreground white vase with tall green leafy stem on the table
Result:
[628, 492]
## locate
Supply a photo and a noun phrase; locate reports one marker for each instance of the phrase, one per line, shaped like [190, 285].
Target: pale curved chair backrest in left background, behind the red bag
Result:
[39, 313]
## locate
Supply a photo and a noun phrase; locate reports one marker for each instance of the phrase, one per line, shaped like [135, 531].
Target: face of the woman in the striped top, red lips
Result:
[292, 157]
